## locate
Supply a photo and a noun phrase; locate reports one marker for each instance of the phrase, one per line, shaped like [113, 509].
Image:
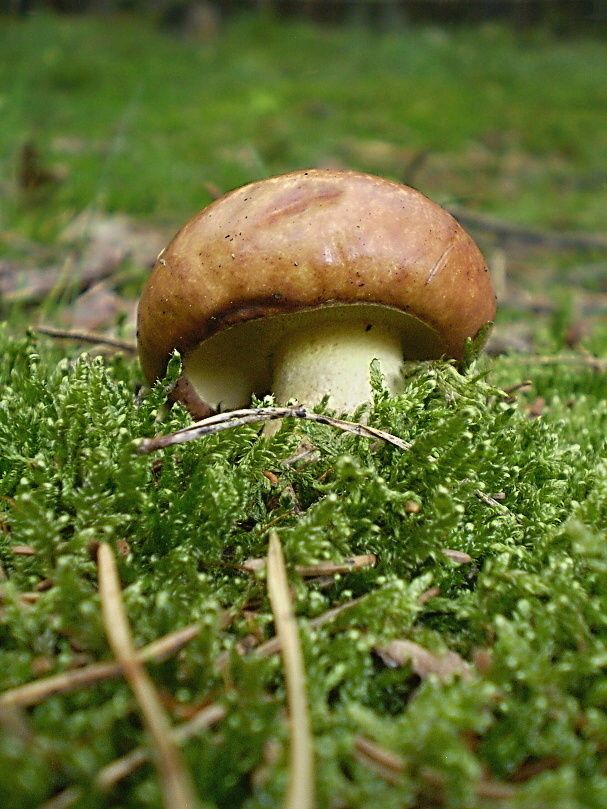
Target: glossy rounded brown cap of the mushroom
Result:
[310, 239]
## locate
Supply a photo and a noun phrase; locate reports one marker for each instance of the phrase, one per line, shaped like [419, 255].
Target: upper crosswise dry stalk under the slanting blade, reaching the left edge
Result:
[39, 690]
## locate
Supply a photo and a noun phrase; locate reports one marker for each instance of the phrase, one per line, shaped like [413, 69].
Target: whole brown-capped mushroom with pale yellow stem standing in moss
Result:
[295, 284]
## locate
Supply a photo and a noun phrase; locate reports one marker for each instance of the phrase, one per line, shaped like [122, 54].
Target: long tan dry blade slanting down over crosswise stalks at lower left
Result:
[175, 780]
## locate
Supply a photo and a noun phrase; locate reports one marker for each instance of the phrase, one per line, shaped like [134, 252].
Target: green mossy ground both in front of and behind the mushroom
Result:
[517, 487]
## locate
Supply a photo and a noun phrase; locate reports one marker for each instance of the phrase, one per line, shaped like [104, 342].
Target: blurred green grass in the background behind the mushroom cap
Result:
[146, 122]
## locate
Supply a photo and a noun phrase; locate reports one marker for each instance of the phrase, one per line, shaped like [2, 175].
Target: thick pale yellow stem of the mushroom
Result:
[334, 359]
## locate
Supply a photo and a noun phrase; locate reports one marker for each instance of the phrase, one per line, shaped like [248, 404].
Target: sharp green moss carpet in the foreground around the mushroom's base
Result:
[532, 602]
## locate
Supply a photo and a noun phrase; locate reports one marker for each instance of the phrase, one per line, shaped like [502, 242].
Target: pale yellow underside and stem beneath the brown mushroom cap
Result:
[306, 355]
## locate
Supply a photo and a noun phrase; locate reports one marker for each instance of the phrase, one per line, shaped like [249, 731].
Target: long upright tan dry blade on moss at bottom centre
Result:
[300, 794]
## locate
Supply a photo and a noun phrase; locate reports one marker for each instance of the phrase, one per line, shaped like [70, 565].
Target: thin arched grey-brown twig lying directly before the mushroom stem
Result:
[238, 418]
